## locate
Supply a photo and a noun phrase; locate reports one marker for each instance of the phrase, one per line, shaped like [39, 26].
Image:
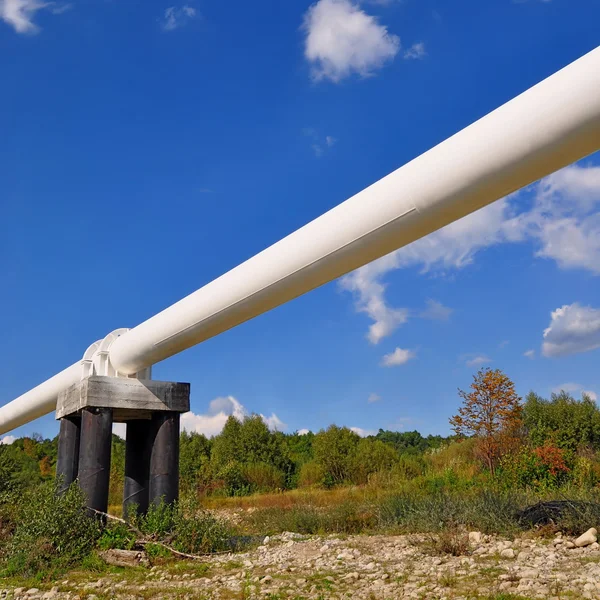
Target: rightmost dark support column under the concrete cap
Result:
[164, 458]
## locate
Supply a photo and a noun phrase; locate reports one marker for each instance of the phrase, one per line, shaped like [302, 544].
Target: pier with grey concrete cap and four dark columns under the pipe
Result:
[151, 410]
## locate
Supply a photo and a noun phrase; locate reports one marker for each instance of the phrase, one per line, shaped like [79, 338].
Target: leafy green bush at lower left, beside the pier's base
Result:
[53, 533]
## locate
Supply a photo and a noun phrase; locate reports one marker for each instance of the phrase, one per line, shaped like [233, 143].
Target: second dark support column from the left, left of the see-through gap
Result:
[94, 456]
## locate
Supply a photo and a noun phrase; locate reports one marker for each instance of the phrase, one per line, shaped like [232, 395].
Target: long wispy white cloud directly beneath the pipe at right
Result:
[558, 220]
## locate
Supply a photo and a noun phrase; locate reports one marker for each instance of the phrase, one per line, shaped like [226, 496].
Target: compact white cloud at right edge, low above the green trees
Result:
[573, 329]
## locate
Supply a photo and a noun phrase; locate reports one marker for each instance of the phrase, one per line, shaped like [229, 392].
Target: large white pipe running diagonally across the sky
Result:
[549, 126]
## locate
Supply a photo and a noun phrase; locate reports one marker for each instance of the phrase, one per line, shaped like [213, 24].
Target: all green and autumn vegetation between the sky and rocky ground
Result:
[506, 455]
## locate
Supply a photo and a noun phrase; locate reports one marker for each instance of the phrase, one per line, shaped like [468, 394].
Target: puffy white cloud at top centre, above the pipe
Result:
[341, 39]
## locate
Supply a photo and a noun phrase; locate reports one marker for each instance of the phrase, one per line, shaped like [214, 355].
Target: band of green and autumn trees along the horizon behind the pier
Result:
[498, 437]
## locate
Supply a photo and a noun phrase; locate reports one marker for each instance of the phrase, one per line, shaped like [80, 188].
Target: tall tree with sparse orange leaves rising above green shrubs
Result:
[491, 412]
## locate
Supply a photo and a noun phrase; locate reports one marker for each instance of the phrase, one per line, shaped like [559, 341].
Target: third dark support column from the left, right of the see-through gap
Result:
[137, 466]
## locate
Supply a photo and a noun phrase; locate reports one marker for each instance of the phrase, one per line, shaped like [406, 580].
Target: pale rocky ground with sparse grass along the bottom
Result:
[360, 567]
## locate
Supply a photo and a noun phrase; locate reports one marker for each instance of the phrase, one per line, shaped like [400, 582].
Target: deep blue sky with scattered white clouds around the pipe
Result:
[146, 148]
